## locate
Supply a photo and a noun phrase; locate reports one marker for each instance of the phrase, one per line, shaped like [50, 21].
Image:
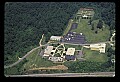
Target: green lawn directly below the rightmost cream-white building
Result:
[95, 56]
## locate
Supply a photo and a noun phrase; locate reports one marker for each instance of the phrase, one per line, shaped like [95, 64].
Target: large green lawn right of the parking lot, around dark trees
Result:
[90, 35]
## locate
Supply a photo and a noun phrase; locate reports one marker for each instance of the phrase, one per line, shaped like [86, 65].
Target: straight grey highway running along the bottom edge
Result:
[96, 74]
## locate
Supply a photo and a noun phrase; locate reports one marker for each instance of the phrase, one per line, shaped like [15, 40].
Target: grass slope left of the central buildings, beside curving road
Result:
[34, 60]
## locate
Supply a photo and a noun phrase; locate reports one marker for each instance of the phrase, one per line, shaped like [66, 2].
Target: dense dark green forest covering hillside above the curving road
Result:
[25, 22]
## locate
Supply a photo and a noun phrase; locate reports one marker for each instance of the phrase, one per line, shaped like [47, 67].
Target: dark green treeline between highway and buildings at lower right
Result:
[88, 66]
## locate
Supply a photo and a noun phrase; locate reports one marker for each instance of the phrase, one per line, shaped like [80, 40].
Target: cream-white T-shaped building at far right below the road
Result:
[98, 47]
